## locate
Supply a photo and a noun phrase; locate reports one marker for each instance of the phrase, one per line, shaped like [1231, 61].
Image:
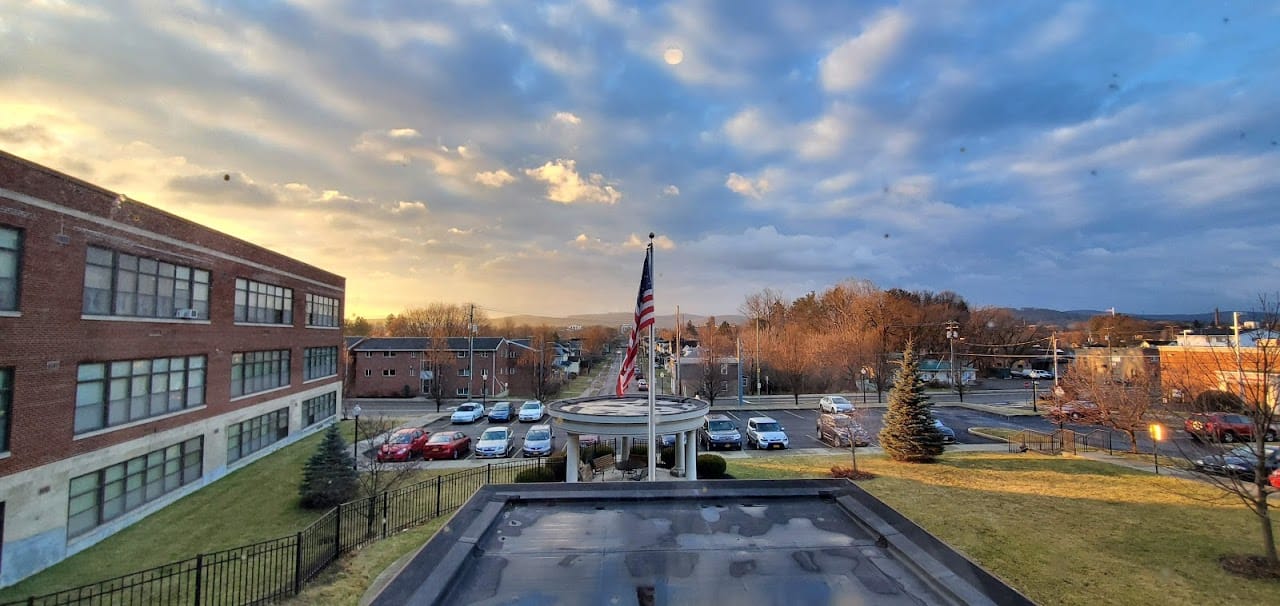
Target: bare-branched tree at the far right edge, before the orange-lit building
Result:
[1250, 368]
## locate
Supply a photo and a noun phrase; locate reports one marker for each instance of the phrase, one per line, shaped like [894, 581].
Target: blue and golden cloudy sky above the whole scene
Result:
[518, 154]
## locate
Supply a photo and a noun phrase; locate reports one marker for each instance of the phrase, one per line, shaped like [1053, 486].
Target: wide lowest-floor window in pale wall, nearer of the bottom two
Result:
[111, 493]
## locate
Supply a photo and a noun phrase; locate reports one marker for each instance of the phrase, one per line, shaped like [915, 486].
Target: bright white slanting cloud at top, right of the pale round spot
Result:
[861, 58]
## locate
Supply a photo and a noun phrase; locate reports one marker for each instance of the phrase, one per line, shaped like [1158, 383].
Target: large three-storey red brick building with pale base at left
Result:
[141, 358]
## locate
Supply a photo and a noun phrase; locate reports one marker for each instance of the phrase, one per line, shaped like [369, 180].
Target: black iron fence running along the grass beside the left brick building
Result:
[266, 572]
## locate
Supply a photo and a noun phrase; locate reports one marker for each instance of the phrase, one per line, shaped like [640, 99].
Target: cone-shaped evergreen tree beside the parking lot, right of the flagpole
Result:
[909, 434]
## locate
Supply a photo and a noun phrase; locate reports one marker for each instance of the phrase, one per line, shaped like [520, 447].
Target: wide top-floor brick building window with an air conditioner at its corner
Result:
[117, 284]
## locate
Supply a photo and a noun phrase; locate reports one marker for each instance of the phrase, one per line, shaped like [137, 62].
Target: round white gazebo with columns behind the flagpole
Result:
[629, 418]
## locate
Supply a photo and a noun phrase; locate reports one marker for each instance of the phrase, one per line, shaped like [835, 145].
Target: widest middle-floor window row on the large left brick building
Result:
[118, 393]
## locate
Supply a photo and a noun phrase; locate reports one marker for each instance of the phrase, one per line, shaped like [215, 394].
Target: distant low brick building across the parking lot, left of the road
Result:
[388, 367]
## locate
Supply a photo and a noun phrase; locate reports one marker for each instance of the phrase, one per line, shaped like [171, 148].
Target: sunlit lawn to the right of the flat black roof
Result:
[1066, 531]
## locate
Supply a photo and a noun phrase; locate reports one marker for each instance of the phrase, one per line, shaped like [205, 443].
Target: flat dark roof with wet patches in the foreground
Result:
[813, 543]
